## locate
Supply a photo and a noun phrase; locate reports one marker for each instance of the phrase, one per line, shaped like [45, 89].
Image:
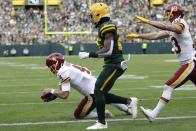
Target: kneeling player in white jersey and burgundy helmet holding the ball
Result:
[81, 79]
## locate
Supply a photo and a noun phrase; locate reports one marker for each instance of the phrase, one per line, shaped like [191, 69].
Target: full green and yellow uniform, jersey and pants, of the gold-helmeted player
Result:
[111, 70]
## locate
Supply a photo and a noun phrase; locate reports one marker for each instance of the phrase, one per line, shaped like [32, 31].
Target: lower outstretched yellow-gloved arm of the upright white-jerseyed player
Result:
[148, 36]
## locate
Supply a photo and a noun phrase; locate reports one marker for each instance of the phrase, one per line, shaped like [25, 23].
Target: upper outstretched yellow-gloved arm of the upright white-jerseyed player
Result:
[176, 27]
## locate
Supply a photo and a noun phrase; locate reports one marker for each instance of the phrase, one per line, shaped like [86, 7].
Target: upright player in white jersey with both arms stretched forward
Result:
[178, 31]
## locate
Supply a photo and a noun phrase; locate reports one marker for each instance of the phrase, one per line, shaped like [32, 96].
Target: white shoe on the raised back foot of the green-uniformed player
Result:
[133, 107]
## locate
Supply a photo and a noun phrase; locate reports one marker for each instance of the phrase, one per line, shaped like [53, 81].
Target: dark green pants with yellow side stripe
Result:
[104, 83]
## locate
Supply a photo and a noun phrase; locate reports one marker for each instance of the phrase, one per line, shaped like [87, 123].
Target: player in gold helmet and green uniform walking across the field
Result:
[110, 45]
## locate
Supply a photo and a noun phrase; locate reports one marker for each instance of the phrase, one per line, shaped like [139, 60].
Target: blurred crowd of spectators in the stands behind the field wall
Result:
[21, 25]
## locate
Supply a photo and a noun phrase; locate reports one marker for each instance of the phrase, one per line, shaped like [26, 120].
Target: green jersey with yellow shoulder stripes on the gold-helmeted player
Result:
[117, 55]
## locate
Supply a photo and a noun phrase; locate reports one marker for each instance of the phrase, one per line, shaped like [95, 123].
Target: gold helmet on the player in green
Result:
[98, 11]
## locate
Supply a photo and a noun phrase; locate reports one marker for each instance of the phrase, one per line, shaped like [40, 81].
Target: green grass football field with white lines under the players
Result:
[22, 80]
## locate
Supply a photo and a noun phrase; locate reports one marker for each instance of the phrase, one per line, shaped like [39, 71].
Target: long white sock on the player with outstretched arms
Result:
[167, 92]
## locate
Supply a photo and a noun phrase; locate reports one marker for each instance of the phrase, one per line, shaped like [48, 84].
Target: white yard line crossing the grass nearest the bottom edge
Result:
[87, 121]
